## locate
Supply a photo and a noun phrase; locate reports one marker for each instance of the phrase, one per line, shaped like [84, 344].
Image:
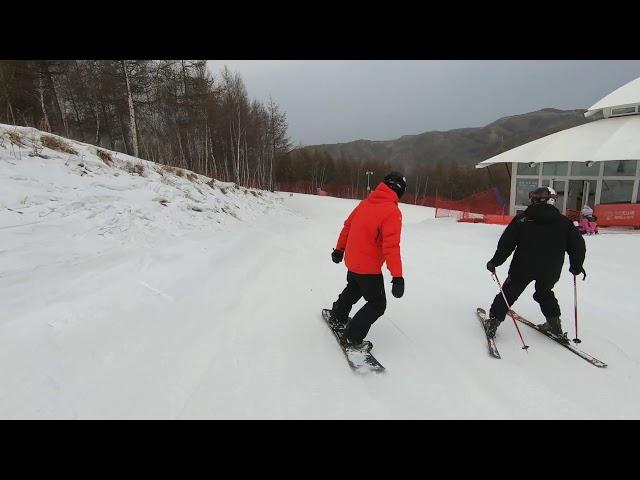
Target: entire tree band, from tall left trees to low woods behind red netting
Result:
[176, 112]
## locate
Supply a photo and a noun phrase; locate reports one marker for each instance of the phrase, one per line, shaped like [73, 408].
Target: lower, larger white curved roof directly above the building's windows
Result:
[616, 138]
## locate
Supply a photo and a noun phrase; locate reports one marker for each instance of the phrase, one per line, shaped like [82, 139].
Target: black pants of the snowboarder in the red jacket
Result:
[371, 287]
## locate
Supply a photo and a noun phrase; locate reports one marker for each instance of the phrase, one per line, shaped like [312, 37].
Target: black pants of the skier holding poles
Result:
[513, 288]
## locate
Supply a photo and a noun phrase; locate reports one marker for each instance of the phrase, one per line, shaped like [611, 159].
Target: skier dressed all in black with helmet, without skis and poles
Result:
[540, 236]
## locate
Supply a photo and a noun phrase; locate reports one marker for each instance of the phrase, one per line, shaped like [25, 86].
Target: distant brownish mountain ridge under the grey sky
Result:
[464, 145]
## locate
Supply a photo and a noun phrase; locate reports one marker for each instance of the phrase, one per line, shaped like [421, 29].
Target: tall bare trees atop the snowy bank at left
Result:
[173, 112]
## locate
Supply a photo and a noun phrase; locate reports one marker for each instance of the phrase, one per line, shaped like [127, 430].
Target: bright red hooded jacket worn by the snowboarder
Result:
[371, 234]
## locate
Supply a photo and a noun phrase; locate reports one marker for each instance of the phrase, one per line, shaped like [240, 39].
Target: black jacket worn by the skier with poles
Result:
[540, 236]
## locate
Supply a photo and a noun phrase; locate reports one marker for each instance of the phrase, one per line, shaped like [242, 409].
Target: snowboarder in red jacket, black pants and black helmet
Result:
[370, 236]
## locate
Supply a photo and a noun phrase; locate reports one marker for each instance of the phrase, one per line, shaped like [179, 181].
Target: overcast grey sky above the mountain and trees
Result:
[331, 101]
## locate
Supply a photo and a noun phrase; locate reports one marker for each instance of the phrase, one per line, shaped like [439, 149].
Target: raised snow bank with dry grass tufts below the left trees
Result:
[45, 178]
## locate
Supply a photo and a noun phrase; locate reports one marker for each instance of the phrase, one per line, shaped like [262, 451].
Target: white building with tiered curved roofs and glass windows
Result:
[591, 164]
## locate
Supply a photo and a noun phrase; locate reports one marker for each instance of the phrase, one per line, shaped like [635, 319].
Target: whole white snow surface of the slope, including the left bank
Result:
[118, 300]
